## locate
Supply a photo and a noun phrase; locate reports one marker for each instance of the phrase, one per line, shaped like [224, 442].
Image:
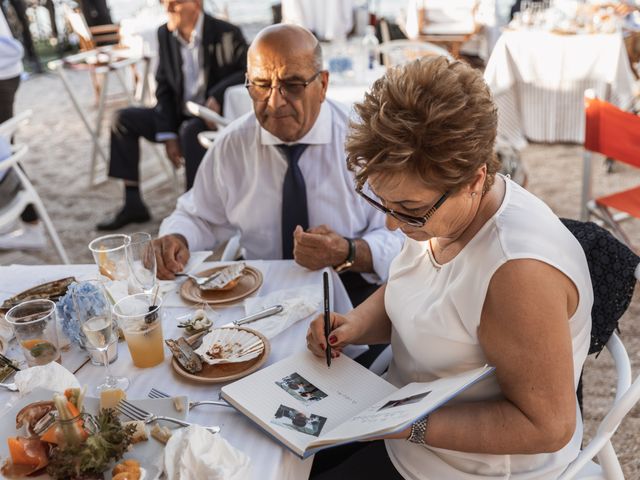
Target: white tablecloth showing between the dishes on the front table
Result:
[269, 459]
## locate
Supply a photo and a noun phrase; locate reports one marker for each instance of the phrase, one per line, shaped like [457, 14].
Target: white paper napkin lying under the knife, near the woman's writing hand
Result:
[298, 303]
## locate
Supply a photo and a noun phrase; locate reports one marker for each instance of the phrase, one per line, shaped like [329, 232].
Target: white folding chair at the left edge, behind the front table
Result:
[28, 194]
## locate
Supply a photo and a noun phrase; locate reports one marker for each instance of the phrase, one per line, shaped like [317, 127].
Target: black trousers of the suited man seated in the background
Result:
[129, 124]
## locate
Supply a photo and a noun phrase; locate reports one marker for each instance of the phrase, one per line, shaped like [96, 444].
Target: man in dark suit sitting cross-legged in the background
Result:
[199, 57]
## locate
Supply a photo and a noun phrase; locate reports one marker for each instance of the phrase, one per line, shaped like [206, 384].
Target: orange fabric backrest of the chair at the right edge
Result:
[611, 131]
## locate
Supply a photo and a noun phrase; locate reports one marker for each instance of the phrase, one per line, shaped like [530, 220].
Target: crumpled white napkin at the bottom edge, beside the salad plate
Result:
[194, 453]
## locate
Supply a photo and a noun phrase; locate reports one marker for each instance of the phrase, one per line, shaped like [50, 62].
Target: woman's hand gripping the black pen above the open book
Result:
[344, 331]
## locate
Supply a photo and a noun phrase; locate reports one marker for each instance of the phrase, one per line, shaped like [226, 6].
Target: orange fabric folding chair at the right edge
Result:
[616, 134]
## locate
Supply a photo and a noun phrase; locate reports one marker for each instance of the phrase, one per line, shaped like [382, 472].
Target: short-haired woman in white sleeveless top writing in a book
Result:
[487, 274]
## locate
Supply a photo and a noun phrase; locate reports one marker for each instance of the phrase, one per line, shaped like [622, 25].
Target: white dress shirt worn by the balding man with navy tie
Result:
[238, 188]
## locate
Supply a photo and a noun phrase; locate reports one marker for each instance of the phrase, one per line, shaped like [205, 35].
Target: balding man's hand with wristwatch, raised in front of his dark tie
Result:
[319, 247]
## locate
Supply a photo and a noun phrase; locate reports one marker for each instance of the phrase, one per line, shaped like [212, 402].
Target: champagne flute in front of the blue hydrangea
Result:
[97, 325]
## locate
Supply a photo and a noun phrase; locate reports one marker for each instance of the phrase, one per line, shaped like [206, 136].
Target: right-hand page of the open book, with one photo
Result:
[398, 410]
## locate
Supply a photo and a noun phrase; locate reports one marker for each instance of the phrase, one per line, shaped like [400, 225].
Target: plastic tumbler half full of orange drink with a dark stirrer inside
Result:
[140, 317]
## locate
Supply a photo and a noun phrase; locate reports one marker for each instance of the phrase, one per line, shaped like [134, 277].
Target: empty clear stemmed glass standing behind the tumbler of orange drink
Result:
[141, 259]
